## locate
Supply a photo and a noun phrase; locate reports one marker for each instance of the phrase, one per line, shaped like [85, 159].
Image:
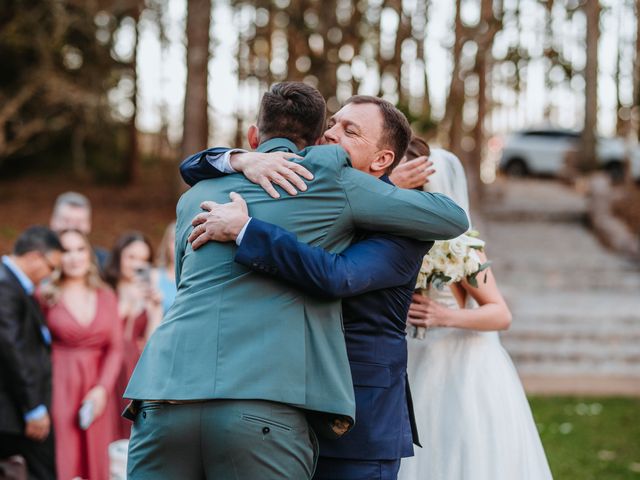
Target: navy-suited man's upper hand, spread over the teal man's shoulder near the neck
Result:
[275, 168]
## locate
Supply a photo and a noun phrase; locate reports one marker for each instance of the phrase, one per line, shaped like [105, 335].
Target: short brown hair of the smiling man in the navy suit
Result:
[396, 131]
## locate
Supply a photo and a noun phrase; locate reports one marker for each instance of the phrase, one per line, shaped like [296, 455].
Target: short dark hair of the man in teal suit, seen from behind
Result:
[292, 110]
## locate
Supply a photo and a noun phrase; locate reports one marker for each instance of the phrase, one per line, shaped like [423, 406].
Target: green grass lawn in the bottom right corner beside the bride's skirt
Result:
[590, 438]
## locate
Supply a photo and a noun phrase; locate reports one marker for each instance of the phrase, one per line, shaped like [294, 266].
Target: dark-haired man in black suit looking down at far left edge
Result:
[25, 364]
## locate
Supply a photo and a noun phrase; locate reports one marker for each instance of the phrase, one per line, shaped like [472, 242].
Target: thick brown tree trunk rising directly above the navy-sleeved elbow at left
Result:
[196, 121]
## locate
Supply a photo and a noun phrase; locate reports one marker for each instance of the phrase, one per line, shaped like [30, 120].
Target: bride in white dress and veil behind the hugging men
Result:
[473, 417]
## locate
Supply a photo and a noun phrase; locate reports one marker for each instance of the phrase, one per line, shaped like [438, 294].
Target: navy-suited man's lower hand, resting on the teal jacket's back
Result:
[220, 223]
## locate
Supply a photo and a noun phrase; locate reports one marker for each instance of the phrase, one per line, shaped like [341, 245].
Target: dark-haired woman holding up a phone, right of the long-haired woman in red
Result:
[139, 304]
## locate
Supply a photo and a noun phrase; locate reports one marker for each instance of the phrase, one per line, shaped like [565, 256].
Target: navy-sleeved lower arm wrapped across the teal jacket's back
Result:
[374, 263]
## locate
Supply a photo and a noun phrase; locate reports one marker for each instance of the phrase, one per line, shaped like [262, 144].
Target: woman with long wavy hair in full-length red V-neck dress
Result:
[82, 314]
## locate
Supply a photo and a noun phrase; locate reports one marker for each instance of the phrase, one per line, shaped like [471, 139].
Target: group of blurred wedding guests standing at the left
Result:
[73, 320]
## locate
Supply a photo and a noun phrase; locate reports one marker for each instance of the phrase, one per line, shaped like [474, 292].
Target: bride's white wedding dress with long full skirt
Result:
[473, 417]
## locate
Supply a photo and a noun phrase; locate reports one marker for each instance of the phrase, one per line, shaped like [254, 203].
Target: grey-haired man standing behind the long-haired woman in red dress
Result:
[73, 211]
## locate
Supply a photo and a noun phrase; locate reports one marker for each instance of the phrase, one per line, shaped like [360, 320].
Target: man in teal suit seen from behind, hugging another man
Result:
[239, 363]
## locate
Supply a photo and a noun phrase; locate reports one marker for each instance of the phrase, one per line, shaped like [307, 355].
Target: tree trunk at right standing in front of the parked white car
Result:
[589, 161]
